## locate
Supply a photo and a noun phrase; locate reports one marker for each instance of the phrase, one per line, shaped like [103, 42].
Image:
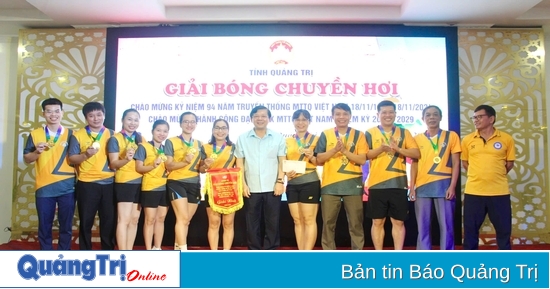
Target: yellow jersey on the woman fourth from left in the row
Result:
[155, 179]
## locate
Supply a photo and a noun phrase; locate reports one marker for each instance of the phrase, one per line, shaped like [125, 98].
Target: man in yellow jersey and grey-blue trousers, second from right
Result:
[433, 180]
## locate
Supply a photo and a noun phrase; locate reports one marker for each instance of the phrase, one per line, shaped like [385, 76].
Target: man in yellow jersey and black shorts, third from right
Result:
[389, 146]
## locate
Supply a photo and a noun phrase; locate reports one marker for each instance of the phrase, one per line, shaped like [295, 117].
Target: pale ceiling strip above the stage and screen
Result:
[21, 14]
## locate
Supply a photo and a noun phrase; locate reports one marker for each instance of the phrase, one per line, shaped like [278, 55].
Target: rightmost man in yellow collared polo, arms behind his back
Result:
[488, 155]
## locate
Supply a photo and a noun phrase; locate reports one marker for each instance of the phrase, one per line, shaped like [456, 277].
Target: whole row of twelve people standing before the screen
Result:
[119, 173]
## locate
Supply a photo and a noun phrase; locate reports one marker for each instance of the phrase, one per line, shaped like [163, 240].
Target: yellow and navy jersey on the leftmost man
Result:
[54, 175]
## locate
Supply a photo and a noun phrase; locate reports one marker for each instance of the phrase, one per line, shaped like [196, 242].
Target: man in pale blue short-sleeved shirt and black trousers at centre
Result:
[260, 153]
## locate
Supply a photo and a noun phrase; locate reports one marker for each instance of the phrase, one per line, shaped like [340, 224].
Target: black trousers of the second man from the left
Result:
[92, 198]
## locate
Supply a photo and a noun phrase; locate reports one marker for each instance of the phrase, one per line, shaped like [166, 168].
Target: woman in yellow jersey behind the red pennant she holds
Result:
[219, 153]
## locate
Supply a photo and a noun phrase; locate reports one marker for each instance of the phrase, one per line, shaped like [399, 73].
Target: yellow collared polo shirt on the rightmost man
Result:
[487, 175]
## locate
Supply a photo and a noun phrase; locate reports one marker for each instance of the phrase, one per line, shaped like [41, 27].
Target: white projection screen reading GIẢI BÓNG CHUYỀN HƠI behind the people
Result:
[223, 71]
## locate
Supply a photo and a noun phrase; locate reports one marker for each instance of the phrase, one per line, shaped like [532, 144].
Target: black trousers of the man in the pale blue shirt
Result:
[269, 206]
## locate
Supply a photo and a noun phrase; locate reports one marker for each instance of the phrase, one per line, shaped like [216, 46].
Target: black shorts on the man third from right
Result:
[388, 202]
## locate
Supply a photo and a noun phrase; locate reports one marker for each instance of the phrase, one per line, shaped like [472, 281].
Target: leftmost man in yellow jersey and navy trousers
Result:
[47, 147]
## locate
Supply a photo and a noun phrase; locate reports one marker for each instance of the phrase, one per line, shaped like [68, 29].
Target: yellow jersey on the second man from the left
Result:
[95, 168]
